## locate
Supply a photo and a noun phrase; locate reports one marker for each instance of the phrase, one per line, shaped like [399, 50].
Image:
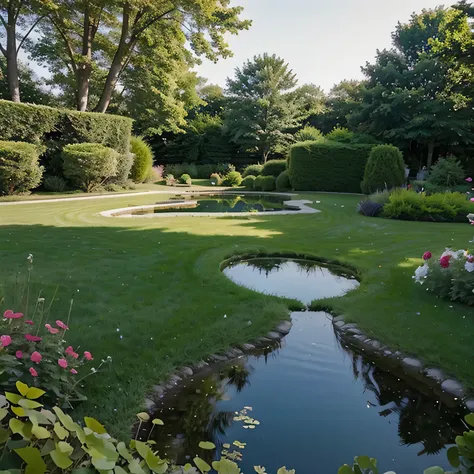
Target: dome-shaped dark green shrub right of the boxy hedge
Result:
[385, 169]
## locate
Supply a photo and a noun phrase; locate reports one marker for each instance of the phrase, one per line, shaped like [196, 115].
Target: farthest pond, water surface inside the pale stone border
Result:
[219, 203]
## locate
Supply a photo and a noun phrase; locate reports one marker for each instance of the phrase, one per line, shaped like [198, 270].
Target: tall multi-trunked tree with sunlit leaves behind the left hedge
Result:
[106, 35]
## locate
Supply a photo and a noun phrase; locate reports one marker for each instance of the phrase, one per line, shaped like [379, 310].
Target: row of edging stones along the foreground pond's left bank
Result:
[272, 338]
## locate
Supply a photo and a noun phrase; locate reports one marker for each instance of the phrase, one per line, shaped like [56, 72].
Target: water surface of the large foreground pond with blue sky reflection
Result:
[315, 397]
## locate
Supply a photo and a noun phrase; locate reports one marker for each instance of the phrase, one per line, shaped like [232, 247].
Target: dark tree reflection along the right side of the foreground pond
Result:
[421, 418]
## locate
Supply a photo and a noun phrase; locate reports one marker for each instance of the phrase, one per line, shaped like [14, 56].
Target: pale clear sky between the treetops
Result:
[324, 41]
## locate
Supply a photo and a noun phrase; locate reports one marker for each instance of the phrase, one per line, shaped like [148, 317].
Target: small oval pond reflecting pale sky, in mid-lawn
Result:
[304, 280]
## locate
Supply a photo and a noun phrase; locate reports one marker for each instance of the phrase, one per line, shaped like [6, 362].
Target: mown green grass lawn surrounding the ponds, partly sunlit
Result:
[156, 283]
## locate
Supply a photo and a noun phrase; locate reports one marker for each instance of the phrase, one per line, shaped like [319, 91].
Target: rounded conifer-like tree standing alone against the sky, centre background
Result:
[261, 110]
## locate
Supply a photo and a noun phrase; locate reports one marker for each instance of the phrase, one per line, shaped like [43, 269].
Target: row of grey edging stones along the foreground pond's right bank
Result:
[443, 385]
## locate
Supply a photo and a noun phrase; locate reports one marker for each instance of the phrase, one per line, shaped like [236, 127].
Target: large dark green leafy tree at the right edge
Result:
[409, 94]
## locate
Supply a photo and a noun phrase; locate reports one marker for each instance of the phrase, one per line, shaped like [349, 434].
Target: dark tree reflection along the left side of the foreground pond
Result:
[192, 415]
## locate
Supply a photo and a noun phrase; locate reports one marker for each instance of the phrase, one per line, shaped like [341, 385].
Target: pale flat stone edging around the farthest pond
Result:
[298, 206]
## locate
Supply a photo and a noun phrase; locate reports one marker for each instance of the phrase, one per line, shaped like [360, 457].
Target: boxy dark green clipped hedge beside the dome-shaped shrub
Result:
[327, 166]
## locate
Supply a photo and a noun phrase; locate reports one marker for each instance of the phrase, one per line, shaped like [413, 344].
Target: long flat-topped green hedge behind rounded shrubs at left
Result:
[48, 125]
